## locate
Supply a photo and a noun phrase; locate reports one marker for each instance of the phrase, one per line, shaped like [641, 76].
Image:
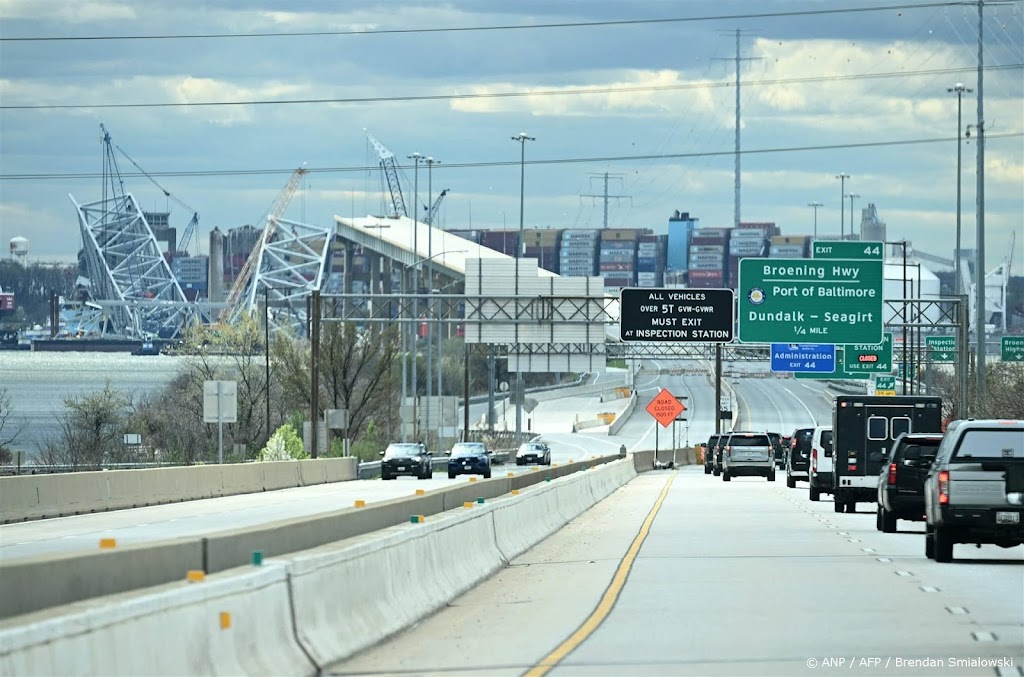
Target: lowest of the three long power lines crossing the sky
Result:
[559, 161]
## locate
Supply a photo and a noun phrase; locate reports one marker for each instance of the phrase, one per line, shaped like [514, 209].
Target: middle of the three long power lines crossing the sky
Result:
[515, 95]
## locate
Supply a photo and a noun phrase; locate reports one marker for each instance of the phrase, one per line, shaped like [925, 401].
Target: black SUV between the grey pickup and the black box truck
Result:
[902, 485]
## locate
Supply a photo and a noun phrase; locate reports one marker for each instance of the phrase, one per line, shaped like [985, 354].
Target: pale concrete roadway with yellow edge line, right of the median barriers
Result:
[680, 574]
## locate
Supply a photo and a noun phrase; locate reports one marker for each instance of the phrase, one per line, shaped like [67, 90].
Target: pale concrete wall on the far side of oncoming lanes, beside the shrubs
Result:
[36, 497]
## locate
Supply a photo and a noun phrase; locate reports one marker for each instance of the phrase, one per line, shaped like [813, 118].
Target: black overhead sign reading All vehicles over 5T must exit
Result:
[679, 316]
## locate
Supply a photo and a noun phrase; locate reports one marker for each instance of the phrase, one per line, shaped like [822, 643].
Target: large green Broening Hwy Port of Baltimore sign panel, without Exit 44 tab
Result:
[810, 302]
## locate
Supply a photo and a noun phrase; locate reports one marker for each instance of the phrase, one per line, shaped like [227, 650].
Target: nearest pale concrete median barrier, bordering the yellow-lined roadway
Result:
[300, 614]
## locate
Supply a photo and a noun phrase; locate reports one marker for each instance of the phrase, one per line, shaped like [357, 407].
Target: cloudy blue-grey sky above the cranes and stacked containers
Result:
[642, 91]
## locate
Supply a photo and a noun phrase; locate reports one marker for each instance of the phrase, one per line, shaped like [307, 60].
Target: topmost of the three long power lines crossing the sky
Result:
[471, 29]
